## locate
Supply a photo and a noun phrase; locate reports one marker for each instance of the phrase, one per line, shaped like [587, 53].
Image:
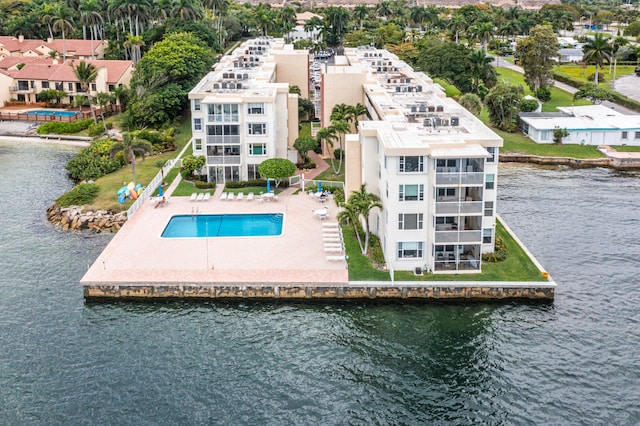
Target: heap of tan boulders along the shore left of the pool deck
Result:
[74, 218]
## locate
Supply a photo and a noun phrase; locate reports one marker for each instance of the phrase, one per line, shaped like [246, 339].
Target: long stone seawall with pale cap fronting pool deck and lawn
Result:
[543, 290]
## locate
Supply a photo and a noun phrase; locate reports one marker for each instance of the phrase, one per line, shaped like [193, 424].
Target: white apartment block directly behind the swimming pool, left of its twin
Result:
[242, 112]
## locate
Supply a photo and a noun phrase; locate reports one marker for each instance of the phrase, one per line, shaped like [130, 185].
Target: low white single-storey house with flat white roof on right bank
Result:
[586, 125]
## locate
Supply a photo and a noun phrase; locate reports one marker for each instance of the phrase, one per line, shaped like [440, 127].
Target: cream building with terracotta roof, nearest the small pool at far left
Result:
[30, 75]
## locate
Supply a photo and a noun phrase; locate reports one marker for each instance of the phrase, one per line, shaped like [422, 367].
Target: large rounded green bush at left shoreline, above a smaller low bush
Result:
[94, 161]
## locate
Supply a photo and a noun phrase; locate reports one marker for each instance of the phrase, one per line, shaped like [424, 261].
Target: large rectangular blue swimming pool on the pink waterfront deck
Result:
[224, 225]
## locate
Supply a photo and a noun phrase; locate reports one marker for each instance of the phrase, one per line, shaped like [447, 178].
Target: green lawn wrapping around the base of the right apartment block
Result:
[517, 267]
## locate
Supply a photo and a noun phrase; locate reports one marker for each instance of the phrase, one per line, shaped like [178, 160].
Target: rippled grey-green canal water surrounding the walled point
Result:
[573, 361]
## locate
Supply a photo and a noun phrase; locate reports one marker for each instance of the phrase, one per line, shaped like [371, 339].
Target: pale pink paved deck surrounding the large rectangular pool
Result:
[138, 254]
